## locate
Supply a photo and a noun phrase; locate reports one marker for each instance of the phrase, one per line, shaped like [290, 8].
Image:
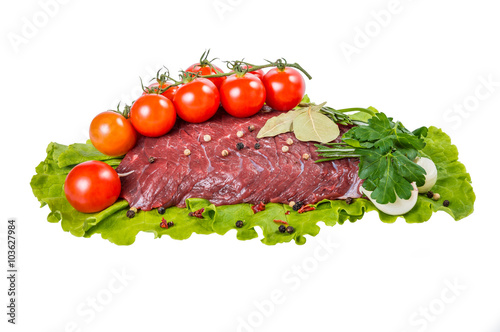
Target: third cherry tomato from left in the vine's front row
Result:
[197, 101]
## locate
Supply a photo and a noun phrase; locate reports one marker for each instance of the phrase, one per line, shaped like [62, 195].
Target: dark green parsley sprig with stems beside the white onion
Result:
[386, 150]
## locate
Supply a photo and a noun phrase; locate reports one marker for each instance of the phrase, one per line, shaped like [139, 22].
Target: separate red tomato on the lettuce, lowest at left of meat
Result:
[92, 186]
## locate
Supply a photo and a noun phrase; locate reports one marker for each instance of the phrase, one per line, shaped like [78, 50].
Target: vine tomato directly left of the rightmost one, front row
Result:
[242, 96]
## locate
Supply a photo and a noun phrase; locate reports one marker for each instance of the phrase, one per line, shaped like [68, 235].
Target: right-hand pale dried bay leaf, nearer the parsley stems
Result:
[314, 126]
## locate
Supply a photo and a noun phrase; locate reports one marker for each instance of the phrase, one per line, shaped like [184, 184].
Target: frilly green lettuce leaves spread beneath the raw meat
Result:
[454, 184]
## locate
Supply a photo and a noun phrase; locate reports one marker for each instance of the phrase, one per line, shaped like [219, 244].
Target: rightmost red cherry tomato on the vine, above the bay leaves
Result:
[285, 88]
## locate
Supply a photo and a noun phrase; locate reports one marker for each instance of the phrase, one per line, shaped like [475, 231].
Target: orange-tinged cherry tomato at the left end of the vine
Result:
[112, 134]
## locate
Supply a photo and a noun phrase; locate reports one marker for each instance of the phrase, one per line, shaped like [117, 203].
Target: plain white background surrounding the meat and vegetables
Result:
[415, 65]
